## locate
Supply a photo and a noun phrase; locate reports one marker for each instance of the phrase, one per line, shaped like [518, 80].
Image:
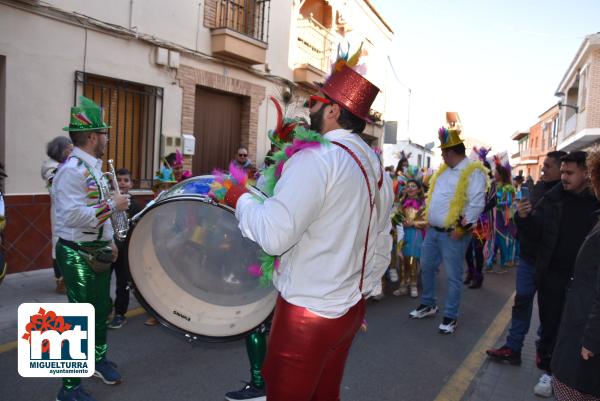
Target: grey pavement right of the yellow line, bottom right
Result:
[503, 382]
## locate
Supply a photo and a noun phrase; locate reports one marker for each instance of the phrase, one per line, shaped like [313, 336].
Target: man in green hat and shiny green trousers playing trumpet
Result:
[85, 247]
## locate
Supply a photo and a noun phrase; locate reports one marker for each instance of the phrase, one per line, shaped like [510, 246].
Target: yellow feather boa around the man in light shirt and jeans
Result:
[457, 204]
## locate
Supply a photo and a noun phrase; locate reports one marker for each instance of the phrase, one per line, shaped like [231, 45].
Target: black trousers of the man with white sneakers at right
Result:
[551, 301]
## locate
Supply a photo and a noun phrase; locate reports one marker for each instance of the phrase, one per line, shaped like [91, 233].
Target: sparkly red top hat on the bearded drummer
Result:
[351, 91]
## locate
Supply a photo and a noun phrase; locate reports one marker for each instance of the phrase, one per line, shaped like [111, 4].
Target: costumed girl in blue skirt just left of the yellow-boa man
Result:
[412, 208]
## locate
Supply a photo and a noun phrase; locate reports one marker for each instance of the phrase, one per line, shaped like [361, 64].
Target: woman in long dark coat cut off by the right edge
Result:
[576, 357]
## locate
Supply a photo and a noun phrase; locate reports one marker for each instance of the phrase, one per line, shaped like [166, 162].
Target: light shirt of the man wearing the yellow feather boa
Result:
[445, 189]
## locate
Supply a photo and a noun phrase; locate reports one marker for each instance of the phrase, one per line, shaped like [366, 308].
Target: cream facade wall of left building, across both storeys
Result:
[42, 55]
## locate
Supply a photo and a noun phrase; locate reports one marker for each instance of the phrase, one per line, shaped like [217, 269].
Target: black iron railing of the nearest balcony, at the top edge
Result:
[248, 17]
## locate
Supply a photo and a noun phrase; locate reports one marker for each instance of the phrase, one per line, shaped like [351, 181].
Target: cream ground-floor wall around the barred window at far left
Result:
[40, 71]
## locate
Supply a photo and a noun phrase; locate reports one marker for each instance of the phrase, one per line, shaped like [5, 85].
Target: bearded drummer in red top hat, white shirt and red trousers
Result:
[329, 221]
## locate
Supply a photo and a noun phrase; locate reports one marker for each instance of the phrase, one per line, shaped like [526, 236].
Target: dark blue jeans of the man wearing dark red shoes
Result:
[523, 306]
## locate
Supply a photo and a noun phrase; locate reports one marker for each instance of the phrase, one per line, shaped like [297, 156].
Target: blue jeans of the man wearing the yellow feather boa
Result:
[438, 247]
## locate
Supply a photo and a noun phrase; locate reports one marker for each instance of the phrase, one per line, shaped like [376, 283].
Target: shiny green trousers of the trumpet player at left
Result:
[86, 286]
